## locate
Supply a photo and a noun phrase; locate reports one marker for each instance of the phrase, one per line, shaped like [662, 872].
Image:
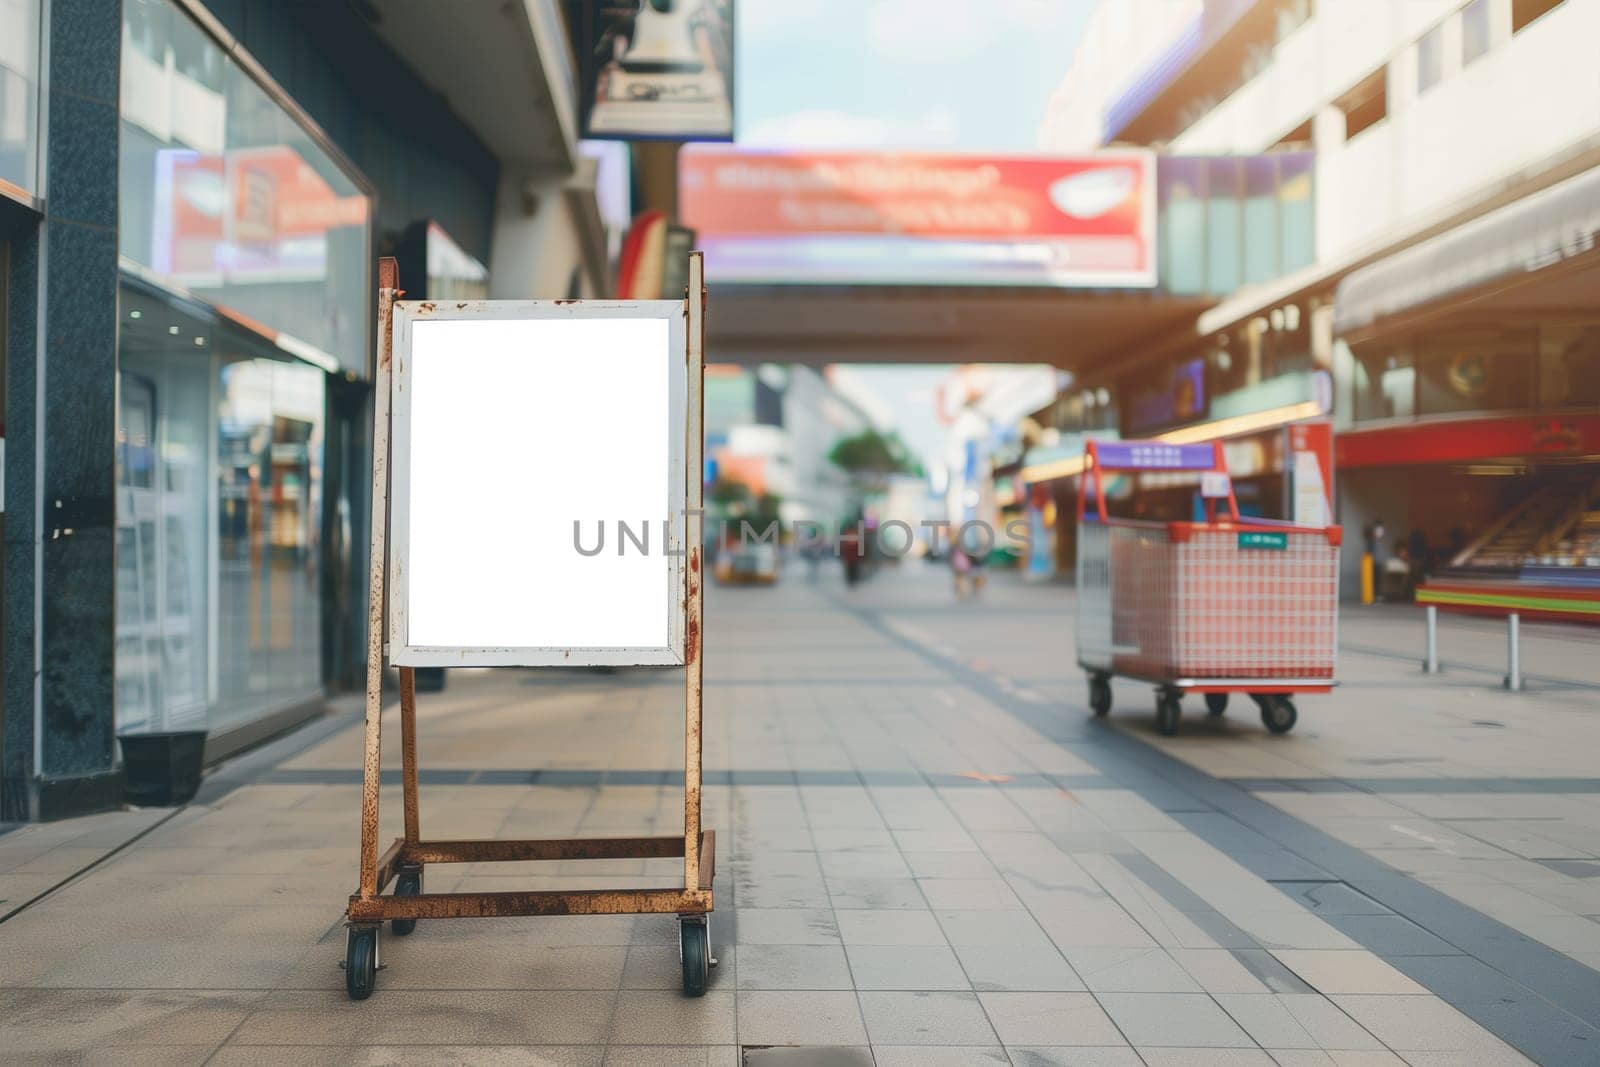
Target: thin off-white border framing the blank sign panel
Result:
[406, 655]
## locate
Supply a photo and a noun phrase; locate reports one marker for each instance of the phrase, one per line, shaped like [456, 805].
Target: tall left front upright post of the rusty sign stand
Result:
[388, 282]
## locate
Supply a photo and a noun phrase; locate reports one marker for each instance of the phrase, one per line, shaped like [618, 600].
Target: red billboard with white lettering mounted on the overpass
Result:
[913, 218]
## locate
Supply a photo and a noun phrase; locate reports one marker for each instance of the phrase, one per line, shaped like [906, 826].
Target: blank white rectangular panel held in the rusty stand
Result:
[508, 433]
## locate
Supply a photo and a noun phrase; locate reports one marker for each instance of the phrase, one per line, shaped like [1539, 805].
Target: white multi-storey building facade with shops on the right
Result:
[1446, 318]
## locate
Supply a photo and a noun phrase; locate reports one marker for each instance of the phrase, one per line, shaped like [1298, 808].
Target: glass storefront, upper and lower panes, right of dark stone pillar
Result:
[244, 241]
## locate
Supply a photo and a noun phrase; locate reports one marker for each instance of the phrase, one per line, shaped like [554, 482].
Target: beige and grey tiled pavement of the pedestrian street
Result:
[929, 855]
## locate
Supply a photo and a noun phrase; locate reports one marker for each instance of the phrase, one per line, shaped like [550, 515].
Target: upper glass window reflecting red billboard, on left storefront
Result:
[226, 196]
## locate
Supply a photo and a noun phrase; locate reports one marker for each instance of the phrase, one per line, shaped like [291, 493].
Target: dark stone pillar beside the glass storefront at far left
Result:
[78, 415]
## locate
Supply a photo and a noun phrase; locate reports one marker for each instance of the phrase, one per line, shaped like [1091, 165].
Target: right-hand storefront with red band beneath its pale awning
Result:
[1471, 394]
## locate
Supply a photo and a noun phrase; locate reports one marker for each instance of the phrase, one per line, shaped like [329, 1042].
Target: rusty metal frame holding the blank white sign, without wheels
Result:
[697, 847]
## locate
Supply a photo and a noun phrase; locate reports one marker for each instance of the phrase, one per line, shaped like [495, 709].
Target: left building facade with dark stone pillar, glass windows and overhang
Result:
[193, 201]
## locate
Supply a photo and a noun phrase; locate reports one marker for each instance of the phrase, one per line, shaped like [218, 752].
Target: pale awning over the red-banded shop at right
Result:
[1537, 233]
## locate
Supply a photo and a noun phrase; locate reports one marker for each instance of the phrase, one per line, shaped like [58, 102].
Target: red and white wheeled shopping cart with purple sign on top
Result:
[1214, 607]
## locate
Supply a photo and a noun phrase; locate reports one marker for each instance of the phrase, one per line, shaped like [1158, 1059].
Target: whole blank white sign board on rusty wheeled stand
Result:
[505, 433]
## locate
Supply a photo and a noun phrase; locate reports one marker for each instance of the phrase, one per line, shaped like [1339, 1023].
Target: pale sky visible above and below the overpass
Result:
[903, 74]
